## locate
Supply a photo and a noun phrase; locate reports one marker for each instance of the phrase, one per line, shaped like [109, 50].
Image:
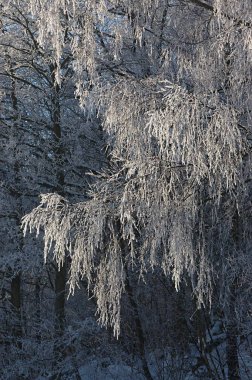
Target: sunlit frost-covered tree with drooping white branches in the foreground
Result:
[175, 109]
